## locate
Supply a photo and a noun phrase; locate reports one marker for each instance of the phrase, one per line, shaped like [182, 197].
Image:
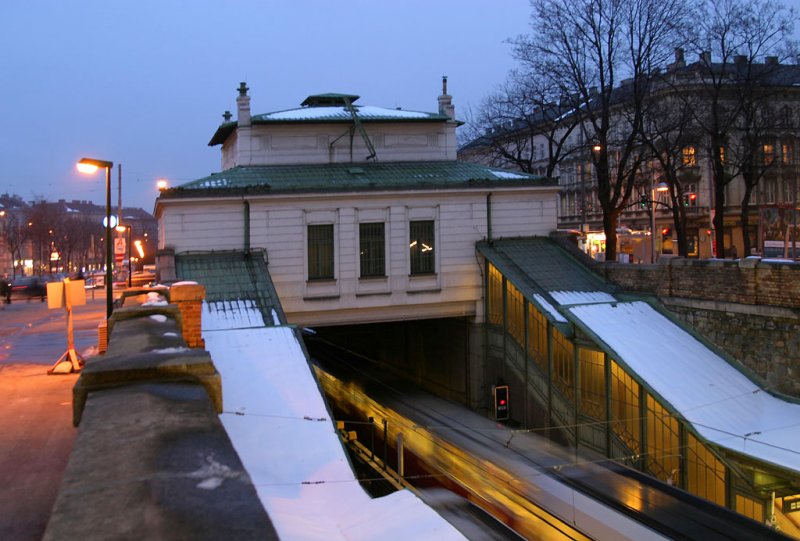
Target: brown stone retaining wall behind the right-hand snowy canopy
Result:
[749, 308]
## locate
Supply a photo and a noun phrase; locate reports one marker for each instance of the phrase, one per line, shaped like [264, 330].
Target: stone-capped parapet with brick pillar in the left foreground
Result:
[151, 459]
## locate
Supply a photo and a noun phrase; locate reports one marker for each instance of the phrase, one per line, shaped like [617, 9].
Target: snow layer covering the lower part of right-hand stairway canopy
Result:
[720, 402]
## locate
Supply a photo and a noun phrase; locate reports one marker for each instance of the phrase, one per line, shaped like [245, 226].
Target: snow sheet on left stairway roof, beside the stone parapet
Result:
[280, 427]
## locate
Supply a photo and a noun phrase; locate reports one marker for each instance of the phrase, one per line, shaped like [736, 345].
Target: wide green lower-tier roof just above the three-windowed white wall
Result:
[346, 177]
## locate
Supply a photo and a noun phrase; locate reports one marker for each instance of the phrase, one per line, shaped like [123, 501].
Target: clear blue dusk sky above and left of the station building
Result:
[144, 83]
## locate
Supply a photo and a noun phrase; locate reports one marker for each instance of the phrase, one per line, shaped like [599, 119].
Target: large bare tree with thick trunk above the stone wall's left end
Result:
[589, 47]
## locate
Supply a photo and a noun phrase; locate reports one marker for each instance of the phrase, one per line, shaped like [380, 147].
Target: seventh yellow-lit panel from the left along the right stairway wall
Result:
[663, 442]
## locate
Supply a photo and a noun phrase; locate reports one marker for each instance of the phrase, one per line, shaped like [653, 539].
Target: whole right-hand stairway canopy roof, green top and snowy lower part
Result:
[721, 402]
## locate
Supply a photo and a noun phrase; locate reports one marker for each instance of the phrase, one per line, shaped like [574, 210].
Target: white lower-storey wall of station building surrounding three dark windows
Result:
[279, 224]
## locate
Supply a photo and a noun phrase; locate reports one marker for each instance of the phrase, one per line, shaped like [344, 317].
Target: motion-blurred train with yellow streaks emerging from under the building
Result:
[537, 488]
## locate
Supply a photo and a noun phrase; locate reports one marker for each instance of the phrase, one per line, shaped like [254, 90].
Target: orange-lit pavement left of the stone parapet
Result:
[36, 420]
